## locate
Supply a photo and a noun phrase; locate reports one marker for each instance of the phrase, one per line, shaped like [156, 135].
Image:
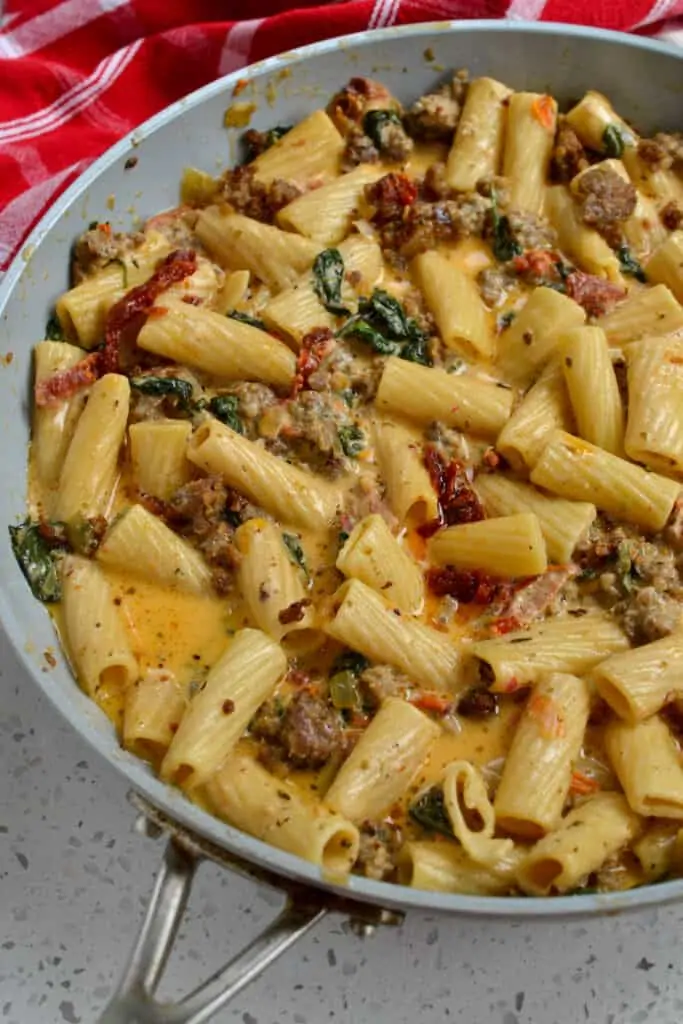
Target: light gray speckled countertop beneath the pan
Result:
[74, 879]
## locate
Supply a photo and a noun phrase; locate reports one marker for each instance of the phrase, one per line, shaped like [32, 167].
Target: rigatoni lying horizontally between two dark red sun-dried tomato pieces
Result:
[508, 546]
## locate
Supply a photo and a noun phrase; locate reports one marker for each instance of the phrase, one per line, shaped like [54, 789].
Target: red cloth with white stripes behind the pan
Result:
[77, 75]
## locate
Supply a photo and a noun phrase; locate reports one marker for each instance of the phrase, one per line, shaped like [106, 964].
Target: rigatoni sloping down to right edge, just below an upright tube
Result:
[574, 468]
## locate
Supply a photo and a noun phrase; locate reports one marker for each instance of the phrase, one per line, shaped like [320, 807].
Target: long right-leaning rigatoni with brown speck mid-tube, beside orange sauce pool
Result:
[238, 685]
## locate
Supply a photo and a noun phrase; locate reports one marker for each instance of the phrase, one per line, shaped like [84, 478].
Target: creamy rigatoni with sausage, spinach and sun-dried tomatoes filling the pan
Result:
[378, 436]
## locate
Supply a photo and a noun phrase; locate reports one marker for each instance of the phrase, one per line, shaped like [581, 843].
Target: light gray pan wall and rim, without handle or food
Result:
[645, 80]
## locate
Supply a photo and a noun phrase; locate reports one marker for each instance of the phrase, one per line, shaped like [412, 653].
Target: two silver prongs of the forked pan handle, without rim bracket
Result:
[135, 1002]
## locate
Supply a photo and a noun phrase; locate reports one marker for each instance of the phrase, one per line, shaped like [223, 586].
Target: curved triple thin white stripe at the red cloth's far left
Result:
[73, 102]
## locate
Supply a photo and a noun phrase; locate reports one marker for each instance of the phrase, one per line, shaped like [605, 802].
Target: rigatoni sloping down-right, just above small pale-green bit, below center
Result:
[367, 623]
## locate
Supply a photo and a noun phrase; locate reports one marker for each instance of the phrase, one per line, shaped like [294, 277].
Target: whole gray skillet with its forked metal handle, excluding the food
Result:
[646, 82]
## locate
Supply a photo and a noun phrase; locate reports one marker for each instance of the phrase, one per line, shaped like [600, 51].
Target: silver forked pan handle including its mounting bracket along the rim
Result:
[135, 1002]
